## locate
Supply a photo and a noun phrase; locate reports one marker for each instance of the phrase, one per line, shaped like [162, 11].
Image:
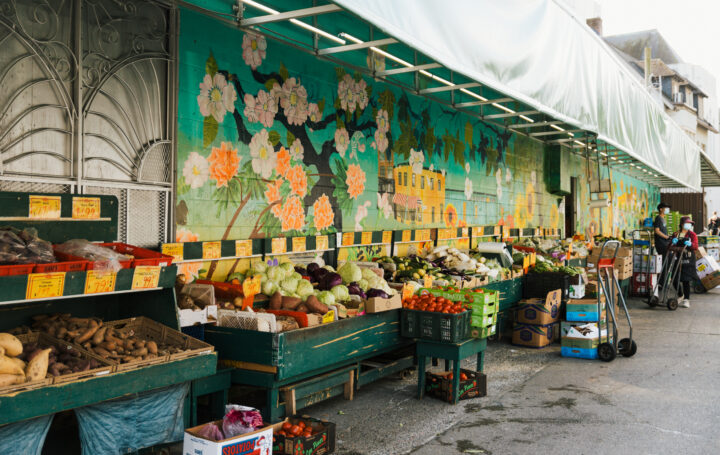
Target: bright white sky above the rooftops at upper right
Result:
[691, 27]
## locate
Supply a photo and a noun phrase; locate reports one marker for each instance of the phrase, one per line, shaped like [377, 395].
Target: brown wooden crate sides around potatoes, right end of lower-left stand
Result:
[149, 330]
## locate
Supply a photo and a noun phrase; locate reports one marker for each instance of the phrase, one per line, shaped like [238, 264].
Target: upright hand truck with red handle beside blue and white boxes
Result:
[610, 288]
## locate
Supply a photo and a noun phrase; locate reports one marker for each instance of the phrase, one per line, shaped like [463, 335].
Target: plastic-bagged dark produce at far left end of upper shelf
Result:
[24, 247]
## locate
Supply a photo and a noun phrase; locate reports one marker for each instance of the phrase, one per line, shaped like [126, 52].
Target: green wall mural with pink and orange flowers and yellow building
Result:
[272, 141]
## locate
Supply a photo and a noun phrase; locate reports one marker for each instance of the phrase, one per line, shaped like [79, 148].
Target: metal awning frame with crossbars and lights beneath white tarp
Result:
[496, 109]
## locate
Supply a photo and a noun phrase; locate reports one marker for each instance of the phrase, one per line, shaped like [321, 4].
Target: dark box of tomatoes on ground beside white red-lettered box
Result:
[320, 443]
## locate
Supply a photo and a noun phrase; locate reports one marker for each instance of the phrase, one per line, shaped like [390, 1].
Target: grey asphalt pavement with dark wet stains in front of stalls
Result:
[665, 399]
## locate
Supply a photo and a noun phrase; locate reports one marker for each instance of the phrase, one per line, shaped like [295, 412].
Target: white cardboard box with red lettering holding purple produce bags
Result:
[259, 442]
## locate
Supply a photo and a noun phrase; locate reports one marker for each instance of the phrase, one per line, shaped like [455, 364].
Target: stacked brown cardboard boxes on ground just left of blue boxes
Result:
[536, 321]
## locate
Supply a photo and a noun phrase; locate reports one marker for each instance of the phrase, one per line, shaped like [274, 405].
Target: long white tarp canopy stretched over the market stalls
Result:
[538, 53]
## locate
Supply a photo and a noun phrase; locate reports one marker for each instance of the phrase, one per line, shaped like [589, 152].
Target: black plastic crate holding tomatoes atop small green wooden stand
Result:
[449, 328]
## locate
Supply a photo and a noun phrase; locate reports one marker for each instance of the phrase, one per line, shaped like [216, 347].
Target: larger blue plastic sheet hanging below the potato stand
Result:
[128, 424]
